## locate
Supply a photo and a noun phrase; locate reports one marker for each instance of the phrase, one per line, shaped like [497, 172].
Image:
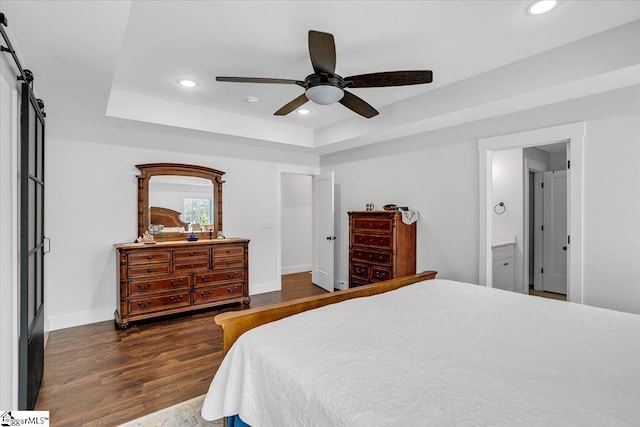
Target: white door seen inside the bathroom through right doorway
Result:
[554, 233]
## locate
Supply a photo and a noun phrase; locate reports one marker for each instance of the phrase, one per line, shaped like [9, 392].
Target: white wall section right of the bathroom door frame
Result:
[612, 213]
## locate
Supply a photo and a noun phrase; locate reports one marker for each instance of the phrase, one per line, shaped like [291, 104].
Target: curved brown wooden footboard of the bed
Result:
[235, 323]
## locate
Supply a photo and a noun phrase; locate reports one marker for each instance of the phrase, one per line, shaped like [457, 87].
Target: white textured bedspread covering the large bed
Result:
[436, 353]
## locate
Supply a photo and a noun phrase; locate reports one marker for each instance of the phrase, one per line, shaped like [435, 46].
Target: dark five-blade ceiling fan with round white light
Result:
[325, 87]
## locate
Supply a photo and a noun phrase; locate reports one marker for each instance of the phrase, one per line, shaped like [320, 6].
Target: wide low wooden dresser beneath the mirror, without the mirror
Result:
[172, 277]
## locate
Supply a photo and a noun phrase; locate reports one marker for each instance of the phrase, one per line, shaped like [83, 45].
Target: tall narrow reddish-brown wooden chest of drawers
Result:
[381, 247]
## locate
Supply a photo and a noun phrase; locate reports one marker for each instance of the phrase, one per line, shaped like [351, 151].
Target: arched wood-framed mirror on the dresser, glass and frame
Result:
[175, 200]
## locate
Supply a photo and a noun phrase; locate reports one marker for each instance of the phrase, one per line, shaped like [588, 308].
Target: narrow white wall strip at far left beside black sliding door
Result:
[8, 236]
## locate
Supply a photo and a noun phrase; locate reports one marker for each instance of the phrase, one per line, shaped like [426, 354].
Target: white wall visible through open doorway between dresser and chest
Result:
[296, 223]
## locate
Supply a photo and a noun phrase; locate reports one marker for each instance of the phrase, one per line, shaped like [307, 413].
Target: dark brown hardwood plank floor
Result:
[96, 375]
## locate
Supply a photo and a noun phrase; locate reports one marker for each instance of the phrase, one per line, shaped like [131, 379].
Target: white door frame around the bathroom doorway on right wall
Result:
[574, 134]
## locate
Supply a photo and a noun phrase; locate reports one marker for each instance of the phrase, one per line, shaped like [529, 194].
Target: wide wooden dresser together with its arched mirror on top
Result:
[179, 267]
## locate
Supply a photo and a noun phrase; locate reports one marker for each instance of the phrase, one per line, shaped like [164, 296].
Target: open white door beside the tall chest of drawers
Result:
[323, 231]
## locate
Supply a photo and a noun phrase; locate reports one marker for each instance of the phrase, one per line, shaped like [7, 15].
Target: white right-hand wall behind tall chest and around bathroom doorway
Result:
[436, 174]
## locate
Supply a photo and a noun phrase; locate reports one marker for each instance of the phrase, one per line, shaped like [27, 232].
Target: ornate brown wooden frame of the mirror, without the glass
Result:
[149, 170]
